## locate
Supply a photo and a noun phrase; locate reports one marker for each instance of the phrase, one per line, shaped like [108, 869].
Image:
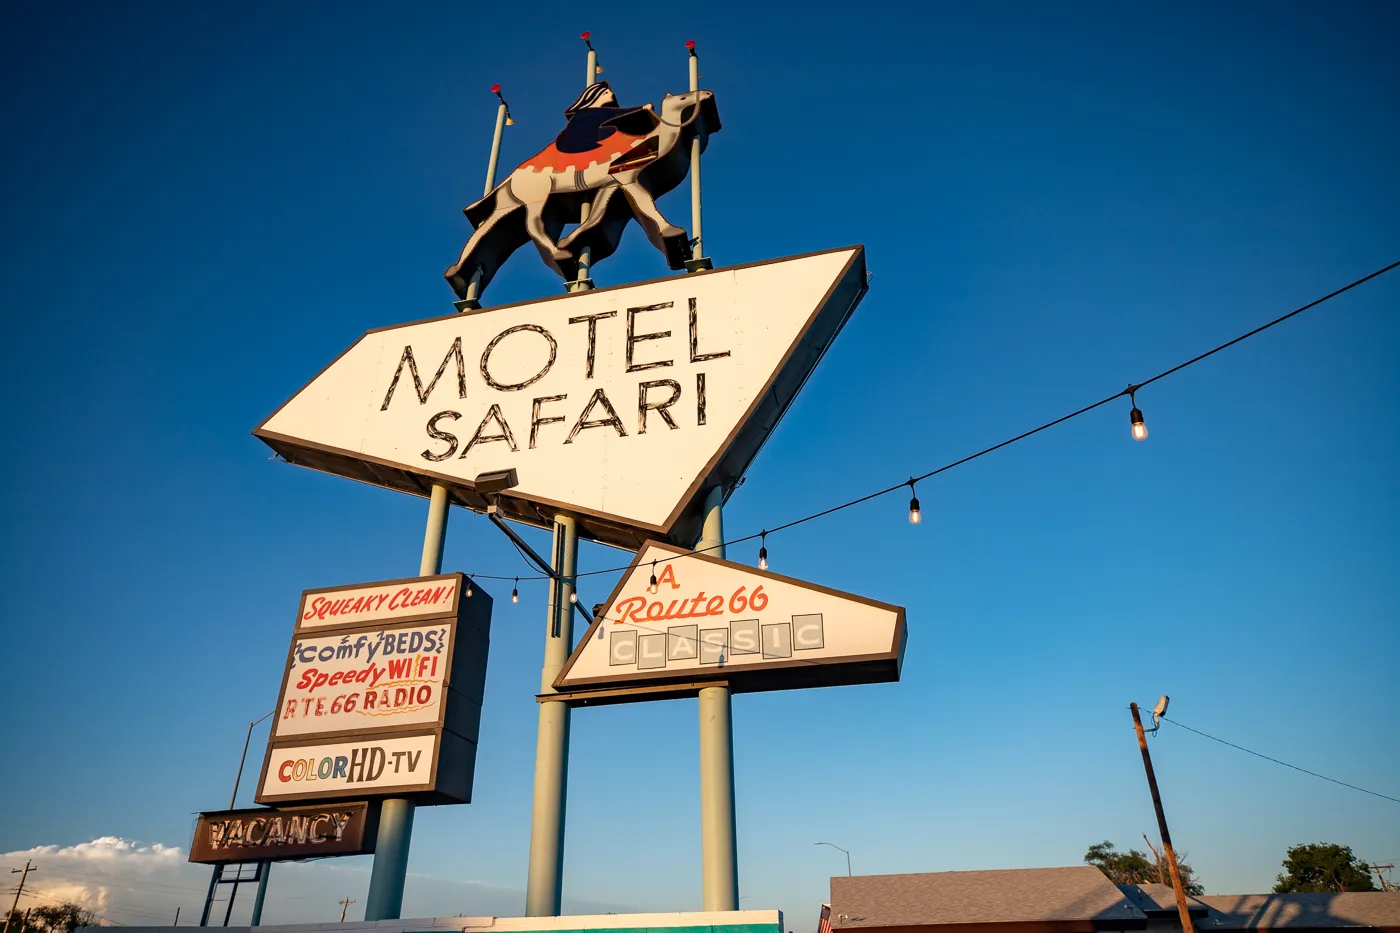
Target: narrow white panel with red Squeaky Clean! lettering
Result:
[390, 602]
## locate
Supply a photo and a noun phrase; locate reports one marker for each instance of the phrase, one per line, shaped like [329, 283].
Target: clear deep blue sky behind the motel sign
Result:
[204, 205]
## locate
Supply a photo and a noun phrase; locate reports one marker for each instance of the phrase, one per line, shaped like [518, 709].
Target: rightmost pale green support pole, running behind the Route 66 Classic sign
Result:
[719, 845]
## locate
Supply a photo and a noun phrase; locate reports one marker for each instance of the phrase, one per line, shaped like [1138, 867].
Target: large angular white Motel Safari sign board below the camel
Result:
[621, 407]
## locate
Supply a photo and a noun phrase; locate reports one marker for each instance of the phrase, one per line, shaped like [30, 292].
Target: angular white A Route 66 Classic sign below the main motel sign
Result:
[709, 621]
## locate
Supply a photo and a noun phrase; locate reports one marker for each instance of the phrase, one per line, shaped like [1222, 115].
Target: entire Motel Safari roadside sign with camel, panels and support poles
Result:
[622, 415]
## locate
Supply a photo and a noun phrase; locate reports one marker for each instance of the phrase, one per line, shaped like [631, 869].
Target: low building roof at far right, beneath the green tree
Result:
[1301, 911]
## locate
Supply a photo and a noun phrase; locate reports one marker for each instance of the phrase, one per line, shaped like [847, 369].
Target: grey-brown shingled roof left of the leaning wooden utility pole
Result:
[1079, 894]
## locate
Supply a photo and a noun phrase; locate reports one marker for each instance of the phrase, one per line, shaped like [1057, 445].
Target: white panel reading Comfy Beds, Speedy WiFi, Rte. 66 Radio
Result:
[365, 682]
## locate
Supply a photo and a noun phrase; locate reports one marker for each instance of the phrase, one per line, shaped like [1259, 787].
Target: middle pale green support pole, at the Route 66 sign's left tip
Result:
[545, 882]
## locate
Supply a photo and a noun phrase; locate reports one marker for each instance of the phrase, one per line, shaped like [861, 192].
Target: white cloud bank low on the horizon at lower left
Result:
[138, 885]
